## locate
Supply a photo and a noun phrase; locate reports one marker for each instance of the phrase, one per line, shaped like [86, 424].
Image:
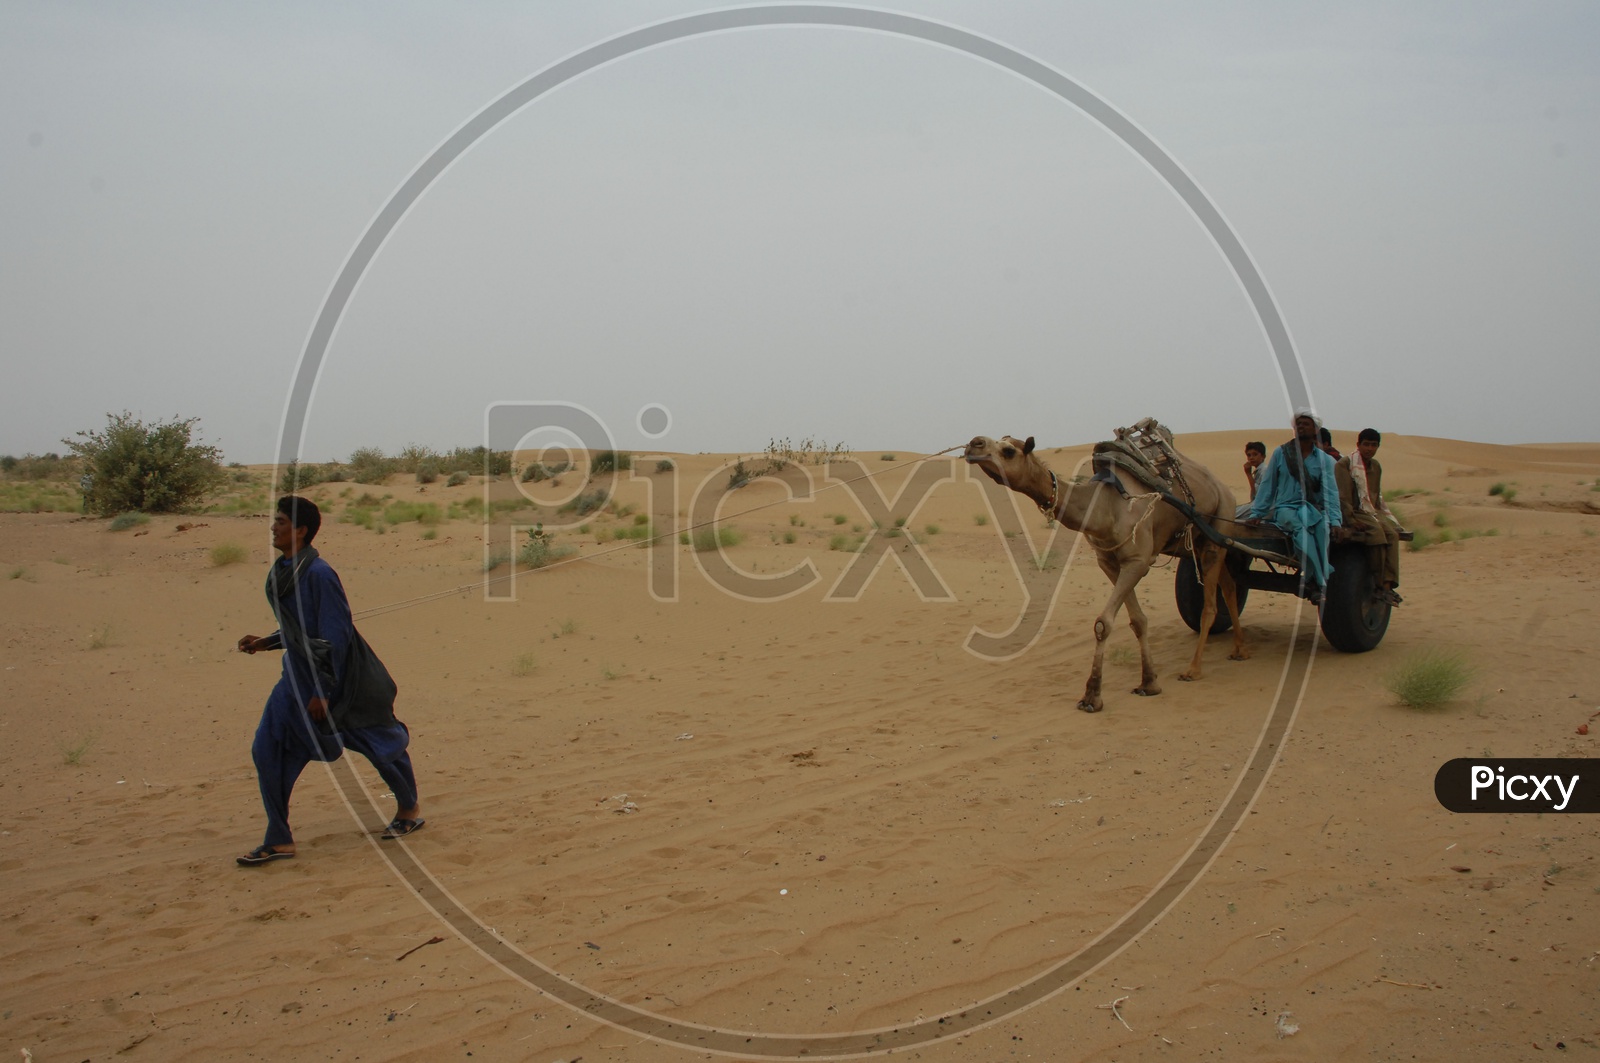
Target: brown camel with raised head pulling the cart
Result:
[1129, 536]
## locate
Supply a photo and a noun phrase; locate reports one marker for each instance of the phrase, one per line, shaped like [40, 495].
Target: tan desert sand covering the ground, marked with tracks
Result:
[804, 816]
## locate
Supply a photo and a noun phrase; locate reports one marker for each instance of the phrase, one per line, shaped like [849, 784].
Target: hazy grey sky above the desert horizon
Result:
[799, 231]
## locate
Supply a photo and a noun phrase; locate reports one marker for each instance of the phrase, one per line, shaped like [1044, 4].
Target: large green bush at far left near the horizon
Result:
[148, 468]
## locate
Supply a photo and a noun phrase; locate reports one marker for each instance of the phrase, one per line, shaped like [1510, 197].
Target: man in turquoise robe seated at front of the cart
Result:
[1298, 492]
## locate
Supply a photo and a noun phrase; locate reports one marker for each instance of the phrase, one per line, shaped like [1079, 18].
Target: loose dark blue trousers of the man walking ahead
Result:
[287, 742]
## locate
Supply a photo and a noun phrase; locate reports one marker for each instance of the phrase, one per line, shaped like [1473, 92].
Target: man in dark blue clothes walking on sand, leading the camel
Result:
[321, 707]
